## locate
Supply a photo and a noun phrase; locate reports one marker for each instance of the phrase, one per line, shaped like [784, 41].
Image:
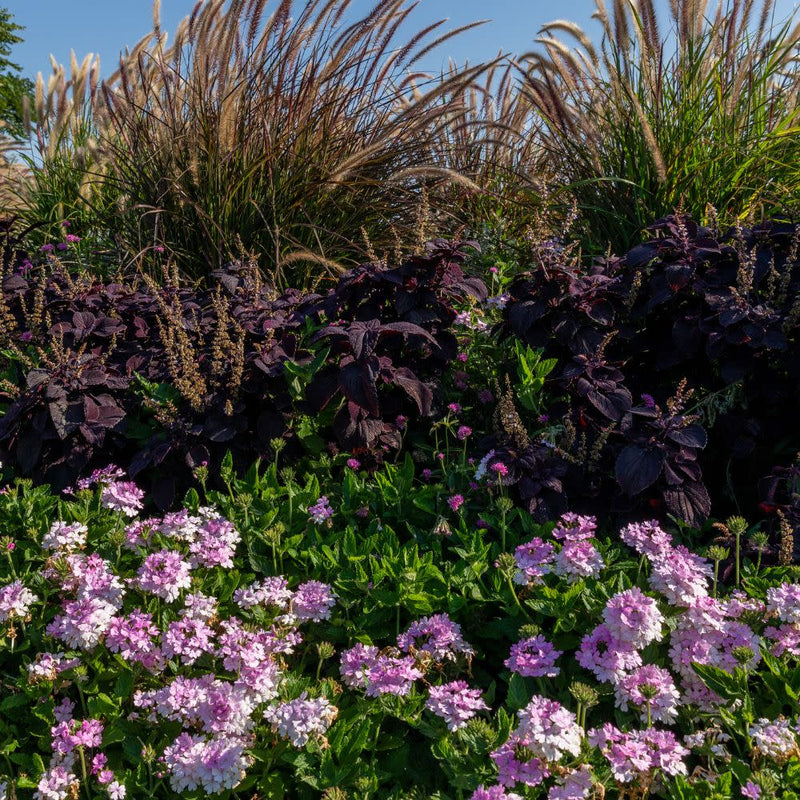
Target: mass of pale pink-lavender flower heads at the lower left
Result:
[242, 677]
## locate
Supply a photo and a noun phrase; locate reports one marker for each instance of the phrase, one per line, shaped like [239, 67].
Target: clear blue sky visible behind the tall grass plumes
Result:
[107, 26]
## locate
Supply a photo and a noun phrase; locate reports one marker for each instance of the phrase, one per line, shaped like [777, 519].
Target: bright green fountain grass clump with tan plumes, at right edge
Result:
[705, 111]
